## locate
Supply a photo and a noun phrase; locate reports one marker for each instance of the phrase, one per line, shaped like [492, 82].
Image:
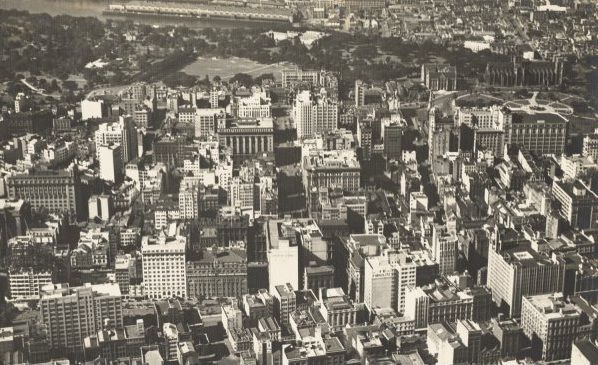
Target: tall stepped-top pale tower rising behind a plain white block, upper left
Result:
[123, 133]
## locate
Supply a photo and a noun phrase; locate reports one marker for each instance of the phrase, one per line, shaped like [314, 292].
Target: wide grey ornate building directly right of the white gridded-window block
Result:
[218, 273]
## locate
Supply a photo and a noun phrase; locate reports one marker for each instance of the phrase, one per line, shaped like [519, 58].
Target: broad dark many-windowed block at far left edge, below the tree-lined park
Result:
[56, 190]
